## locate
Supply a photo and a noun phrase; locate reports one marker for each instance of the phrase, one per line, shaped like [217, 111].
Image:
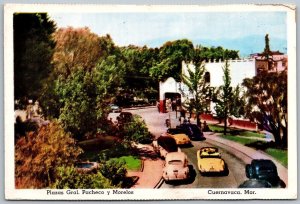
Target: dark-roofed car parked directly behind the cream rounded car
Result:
[164, 145]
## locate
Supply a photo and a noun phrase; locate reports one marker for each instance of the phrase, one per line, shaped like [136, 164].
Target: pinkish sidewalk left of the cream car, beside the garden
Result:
[151, 173]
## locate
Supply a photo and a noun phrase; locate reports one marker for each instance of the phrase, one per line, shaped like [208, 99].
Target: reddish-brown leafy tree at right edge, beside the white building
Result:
[266, 96]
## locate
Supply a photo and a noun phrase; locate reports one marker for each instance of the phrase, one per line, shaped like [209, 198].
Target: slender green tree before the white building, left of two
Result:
[198, 88]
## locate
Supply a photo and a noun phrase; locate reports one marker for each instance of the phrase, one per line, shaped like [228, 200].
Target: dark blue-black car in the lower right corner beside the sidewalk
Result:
[263, 169]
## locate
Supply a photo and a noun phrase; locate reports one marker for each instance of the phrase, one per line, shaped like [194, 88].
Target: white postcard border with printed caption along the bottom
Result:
[146, 194]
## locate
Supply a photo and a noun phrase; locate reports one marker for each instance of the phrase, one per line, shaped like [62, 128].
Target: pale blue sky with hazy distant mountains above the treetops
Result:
[244, 31]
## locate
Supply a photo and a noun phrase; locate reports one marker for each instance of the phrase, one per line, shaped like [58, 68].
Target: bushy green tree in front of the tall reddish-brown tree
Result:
[84, 96]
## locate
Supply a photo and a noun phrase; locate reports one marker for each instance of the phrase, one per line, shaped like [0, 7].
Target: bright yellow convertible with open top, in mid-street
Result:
[210, 161]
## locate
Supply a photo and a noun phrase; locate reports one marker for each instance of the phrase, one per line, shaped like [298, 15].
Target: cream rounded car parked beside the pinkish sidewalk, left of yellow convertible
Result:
[176, 167]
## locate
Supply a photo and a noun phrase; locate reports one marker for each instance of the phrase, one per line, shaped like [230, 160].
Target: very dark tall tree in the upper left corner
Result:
[33, 50]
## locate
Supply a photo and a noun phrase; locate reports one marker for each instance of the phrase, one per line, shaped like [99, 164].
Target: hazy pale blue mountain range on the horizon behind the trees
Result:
[245, 45]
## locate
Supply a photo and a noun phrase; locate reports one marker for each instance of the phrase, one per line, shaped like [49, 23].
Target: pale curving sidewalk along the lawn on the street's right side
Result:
[249, 152]
